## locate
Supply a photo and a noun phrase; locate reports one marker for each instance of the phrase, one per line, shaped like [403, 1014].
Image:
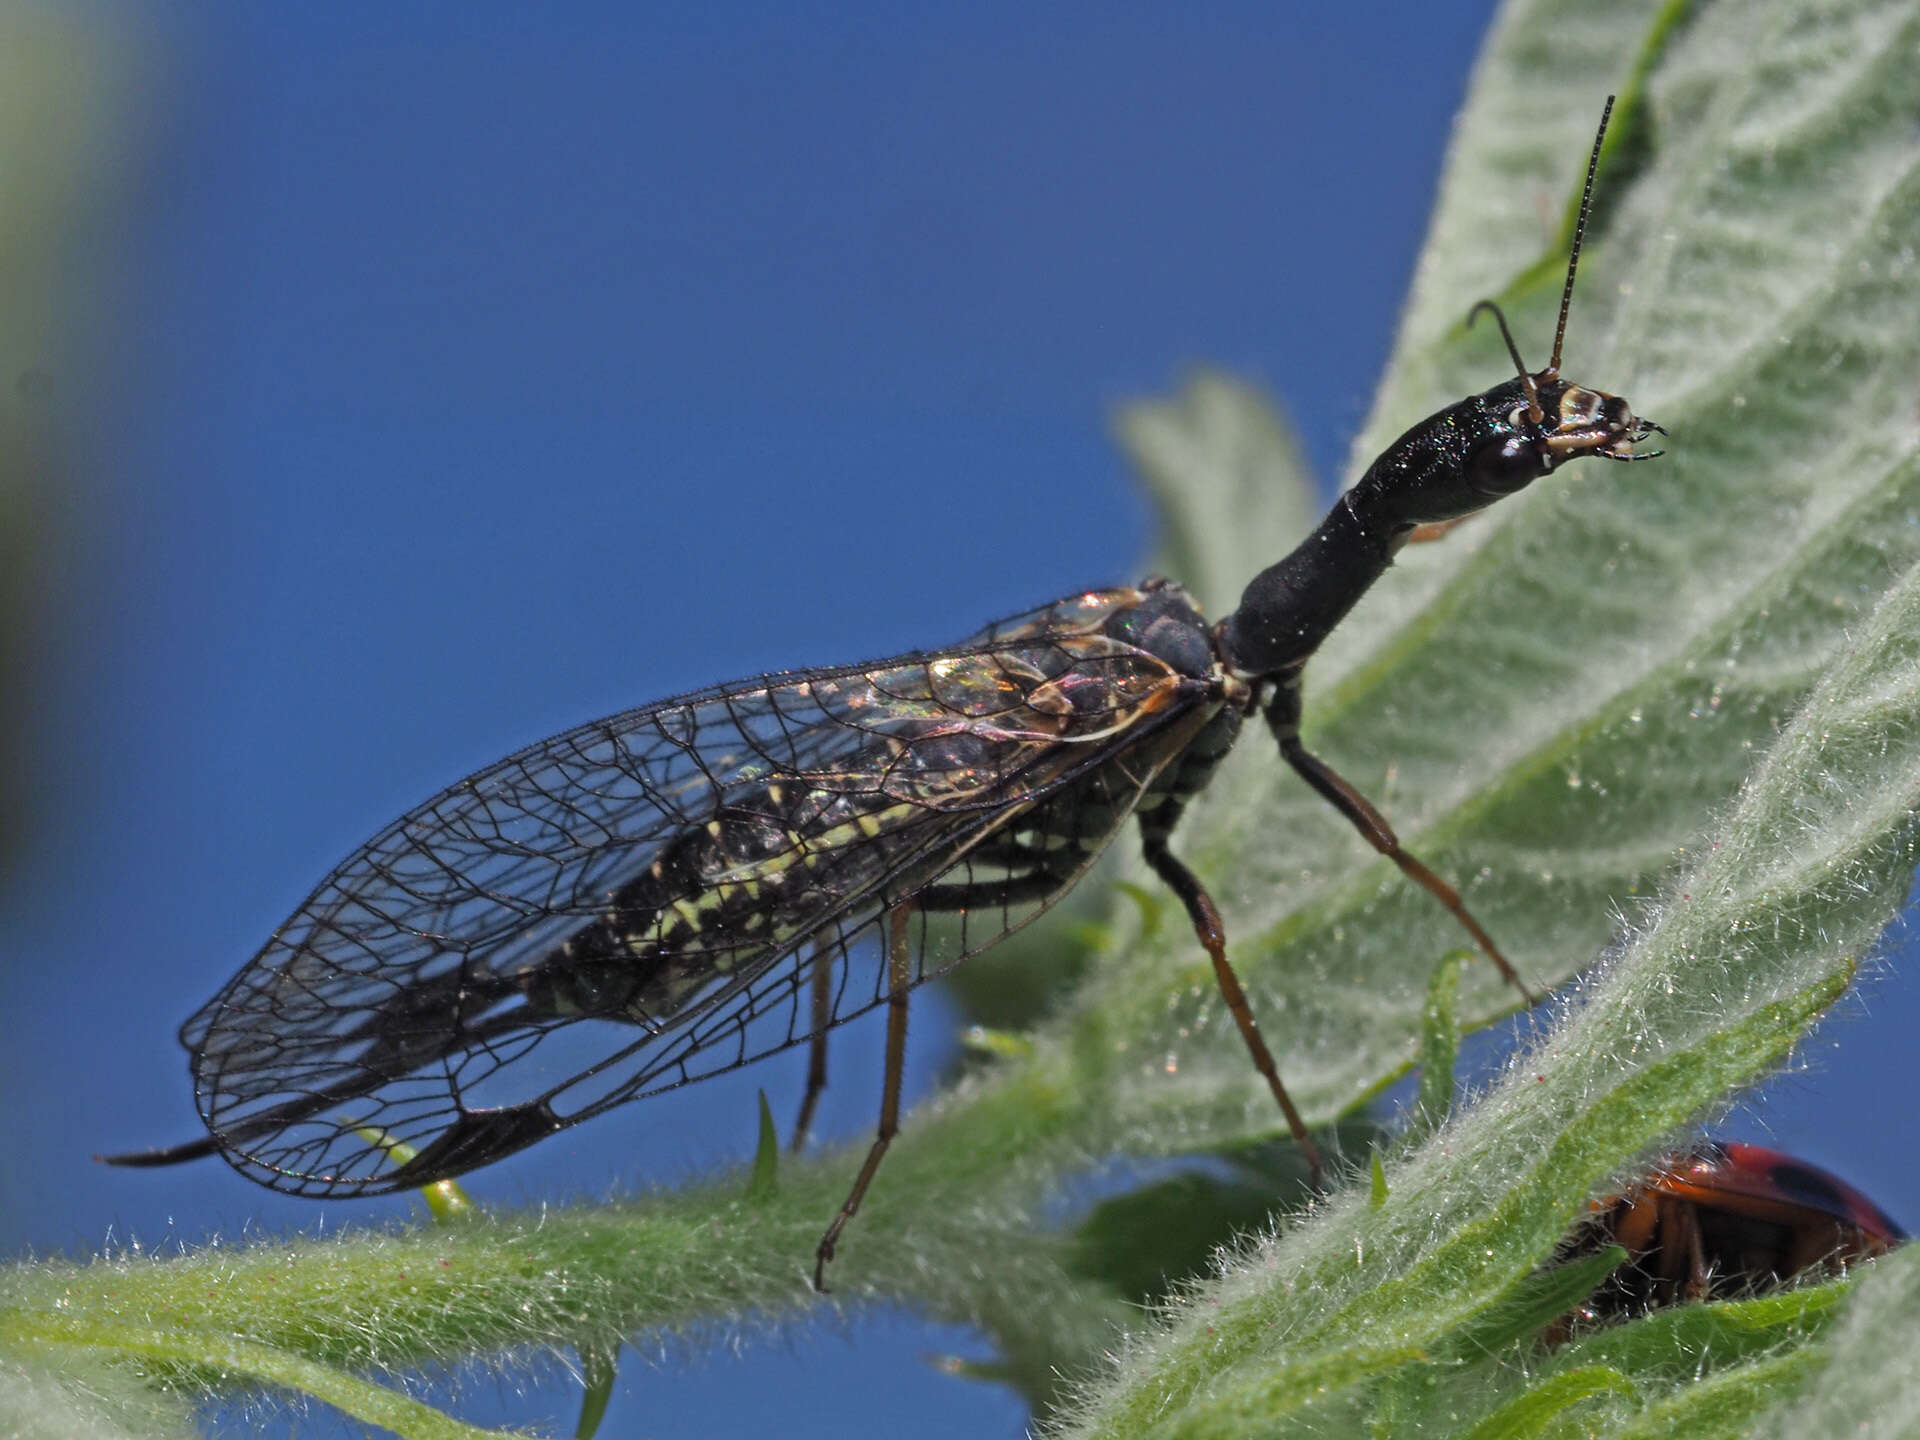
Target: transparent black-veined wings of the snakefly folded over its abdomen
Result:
[619, 909]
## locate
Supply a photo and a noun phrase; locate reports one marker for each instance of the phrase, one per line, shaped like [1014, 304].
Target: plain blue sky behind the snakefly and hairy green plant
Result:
[479, 373]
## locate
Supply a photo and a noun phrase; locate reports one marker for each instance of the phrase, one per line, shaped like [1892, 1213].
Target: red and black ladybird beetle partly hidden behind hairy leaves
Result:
[1725, 1220]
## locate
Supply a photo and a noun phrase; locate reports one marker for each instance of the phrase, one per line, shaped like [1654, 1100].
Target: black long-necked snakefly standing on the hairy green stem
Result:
[679, 890]
